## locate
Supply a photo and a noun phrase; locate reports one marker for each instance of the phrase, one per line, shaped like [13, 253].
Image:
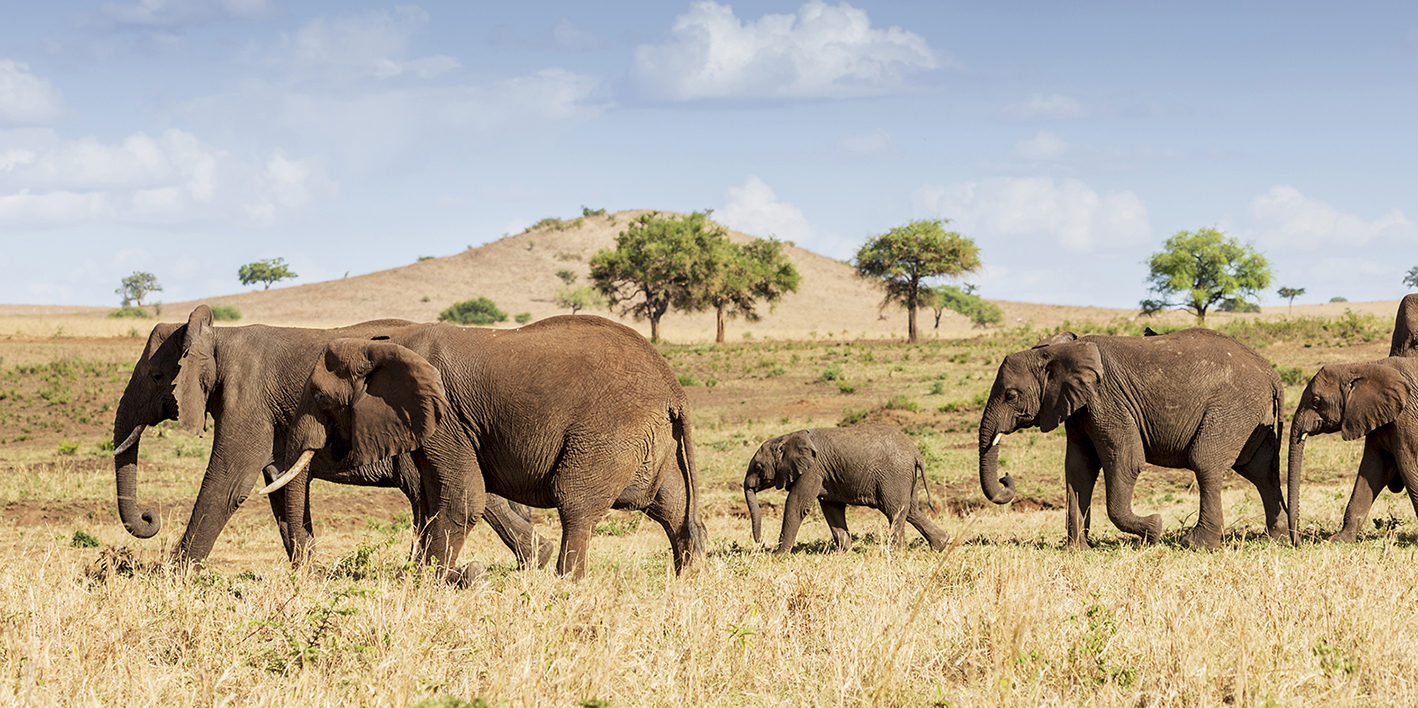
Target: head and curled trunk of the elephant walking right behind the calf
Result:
[1040, 387]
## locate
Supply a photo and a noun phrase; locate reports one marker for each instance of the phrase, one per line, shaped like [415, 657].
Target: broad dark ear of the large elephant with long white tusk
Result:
[398, 398]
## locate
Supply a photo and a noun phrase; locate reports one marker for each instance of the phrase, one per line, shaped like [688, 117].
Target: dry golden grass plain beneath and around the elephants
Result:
[1006, 616]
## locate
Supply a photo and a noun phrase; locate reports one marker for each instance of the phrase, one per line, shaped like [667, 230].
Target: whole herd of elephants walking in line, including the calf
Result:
[582, 415]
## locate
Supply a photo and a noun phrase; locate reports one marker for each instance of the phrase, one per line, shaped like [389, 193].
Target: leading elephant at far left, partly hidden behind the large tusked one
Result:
[250, 381]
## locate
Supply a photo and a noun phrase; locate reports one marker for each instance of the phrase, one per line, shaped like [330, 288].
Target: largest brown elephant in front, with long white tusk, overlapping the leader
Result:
[574, 412]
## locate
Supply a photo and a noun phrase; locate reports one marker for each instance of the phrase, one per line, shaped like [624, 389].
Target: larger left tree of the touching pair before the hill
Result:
[659, 262]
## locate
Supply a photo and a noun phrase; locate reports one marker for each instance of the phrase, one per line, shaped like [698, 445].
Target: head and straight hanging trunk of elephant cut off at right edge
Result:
[1353, 399]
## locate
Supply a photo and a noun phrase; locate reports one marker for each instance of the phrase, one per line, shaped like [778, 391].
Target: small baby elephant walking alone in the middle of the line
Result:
[870, 465]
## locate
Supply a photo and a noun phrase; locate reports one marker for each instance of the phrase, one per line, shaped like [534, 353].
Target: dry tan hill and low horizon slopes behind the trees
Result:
[520, 275]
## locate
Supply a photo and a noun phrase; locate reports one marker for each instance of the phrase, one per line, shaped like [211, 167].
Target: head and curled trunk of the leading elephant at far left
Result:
[171, 381]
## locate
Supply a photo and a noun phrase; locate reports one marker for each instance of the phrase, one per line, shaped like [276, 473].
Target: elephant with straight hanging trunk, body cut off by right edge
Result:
[1373, 401]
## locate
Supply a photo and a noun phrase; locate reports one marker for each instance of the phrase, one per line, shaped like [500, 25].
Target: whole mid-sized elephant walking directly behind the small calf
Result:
[1193, 399]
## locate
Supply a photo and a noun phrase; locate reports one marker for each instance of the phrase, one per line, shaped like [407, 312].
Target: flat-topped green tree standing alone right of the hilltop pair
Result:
[904, 258]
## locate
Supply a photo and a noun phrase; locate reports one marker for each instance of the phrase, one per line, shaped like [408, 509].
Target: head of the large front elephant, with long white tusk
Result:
[364, 402]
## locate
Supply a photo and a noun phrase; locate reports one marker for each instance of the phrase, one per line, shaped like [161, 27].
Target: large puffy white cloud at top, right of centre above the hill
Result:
[823, 52]
